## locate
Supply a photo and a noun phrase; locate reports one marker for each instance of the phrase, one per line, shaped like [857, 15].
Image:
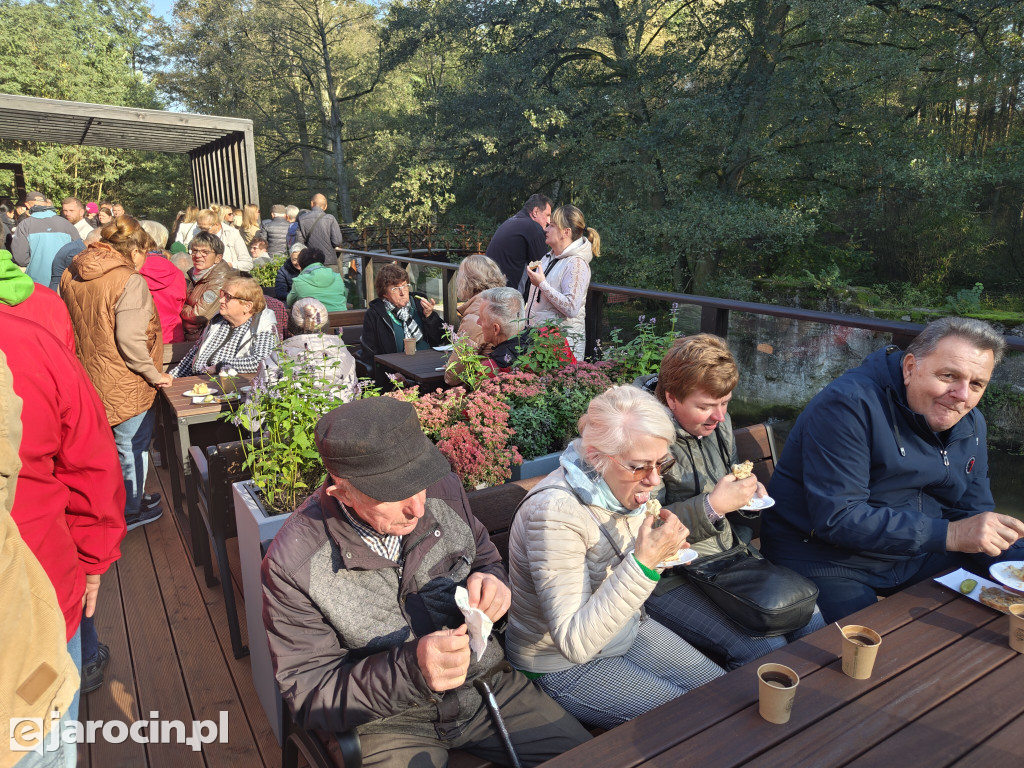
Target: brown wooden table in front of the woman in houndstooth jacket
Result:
[184, 414]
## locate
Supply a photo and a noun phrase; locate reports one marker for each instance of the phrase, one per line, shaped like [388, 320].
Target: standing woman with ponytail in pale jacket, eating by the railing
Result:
[560, 283]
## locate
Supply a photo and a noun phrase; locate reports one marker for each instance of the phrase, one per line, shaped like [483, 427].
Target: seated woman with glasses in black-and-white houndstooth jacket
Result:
[240, 337]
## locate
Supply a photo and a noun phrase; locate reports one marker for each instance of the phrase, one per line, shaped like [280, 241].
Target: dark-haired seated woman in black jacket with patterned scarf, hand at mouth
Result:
[396, 315]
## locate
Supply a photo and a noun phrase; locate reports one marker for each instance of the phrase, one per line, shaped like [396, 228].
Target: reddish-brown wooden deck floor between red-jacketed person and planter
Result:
[172, 655]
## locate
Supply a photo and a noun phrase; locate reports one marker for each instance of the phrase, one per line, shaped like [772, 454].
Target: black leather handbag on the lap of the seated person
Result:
[761, 599]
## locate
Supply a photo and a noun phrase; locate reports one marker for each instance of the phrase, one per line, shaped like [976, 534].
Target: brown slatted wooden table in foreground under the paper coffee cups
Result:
[946, 692]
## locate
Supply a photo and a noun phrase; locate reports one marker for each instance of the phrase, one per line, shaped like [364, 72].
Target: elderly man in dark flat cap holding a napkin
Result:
[359, 603]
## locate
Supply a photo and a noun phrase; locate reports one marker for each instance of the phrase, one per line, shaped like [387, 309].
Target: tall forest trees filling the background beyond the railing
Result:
[711, 143]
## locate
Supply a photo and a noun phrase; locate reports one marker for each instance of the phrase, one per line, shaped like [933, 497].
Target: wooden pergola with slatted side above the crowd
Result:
[224, 160]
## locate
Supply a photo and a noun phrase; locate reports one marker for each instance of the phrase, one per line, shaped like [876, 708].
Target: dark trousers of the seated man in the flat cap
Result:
[540, 730]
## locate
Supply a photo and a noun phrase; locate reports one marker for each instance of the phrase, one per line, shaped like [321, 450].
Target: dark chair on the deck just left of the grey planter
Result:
[218, 470]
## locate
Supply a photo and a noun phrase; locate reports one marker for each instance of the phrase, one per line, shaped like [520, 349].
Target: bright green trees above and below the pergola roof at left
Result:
[86, 51]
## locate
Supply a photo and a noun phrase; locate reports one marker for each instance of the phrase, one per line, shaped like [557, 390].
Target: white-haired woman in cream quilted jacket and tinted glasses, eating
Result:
[584, 558]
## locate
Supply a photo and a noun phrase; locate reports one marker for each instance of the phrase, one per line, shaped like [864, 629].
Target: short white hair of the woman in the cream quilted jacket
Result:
[616, 419]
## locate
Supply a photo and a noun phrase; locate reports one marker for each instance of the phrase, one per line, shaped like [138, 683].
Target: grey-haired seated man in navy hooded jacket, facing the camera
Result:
[884, 480]
